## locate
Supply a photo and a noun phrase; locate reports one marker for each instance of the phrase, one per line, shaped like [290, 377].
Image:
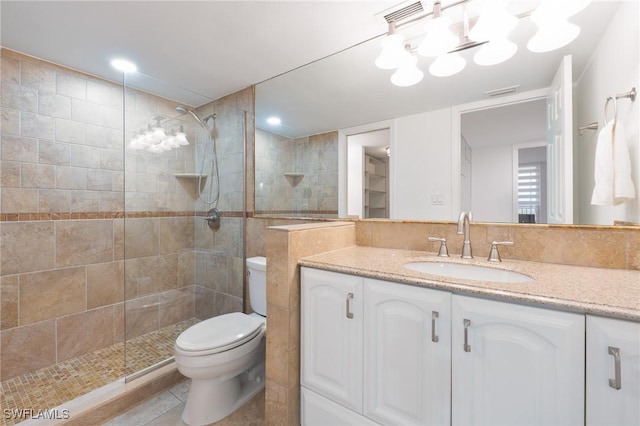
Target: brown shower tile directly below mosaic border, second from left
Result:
[83, 242]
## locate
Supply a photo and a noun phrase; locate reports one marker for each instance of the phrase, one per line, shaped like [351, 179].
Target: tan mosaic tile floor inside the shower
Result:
[52, 386]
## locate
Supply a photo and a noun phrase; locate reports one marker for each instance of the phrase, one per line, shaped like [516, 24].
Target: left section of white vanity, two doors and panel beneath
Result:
[380, 349]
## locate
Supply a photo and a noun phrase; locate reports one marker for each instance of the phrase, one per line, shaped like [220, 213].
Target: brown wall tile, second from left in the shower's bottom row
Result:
[76, 334]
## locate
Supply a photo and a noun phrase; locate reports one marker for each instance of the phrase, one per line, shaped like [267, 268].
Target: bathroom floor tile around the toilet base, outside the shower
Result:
[165, 409]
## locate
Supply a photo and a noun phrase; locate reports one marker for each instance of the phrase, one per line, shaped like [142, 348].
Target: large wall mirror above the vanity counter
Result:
[451, 145]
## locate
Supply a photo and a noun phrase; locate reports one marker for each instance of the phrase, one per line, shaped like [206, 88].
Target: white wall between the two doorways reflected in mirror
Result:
[422, 145]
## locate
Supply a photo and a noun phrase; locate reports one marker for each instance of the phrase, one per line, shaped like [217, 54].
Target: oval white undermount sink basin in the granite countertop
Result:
[468, 272]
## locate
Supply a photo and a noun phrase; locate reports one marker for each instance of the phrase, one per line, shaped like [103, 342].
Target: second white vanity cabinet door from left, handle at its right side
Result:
[407, 350]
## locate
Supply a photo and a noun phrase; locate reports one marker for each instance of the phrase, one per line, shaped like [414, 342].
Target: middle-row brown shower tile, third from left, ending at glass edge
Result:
[105, 284]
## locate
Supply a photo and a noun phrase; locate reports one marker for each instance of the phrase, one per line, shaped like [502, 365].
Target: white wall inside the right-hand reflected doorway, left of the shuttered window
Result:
[492, 177]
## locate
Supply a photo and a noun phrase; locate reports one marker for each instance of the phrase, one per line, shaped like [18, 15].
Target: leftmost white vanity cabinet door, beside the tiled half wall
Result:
[331, 336]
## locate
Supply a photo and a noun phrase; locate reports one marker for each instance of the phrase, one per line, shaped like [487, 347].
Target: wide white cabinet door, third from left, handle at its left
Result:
[514, 364]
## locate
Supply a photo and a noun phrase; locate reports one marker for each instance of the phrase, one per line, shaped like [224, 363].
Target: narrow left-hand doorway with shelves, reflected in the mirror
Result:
[368, 174]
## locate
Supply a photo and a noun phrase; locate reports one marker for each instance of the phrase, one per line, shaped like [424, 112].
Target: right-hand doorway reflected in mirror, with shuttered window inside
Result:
[503, 154]
